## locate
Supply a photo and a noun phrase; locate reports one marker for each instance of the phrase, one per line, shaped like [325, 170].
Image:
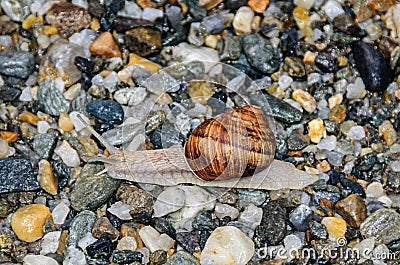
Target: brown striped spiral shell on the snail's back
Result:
[237, 144]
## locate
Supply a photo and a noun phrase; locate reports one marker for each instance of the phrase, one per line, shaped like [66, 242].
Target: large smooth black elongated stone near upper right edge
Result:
[375, 70]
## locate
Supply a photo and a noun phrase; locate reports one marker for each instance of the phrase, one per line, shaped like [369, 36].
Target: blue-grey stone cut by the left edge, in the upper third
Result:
[18, 64]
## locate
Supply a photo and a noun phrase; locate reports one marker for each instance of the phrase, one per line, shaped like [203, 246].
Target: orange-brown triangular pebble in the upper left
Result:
[105, 45]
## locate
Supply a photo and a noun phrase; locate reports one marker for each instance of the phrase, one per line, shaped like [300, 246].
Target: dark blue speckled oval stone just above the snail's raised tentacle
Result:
[106, 110]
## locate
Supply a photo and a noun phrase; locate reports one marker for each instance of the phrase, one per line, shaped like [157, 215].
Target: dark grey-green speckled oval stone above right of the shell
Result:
[260, 53]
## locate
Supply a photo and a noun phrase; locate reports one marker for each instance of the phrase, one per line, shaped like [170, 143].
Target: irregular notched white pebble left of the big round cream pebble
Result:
[154, 240]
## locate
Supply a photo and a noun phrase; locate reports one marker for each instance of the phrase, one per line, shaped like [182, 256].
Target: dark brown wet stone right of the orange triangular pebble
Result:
[143, 41]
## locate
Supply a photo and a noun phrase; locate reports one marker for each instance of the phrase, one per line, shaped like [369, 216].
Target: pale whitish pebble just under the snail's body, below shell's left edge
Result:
[170, 200]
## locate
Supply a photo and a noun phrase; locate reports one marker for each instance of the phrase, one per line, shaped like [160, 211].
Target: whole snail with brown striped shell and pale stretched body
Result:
[234, 150]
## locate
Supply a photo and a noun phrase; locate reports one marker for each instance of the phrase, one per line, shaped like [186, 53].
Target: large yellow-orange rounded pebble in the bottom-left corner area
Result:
[27, 222]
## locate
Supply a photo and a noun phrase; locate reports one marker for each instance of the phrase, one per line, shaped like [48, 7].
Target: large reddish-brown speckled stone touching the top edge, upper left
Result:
[68, 18]
